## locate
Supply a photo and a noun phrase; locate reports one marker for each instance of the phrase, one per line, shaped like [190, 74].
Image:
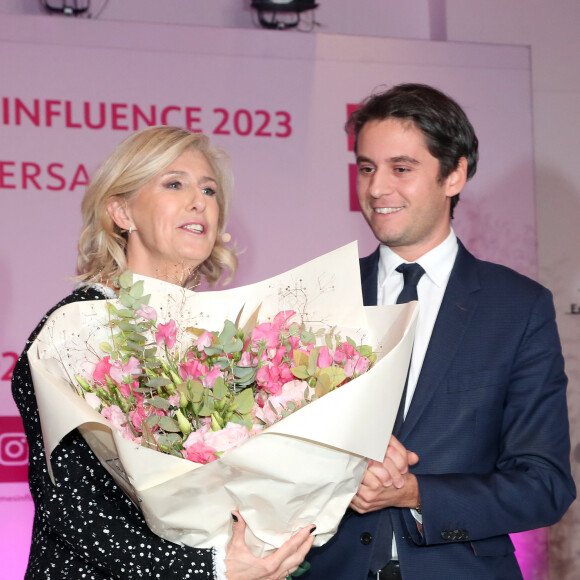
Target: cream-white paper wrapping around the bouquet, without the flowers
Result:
[303, 470]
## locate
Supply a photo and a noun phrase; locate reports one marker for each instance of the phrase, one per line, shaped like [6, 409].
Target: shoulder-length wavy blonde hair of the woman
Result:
[133, 163]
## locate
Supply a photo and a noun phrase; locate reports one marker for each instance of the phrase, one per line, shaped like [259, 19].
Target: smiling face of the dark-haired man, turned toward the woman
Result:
[403, 201]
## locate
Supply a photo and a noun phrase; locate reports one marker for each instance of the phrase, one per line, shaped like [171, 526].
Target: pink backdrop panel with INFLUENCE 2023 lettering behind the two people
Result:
[277, 101]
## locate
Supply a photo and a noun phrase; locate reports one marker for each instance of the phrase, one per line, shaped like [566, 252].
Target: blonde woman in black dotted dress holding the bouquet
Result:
[157, 205]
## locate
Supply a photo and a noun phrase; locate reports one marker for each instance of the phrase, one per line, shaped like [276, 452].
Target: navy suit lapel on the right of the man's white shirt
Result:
[457, 308]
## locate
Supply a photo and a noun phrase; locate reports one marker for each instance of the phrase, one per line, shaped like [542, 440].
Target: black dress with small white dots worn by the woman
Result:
[85, 527]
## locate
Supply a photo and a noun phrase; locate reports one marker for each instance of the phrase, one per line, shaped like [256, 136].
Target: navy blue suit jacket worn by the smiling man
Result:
[489, 422]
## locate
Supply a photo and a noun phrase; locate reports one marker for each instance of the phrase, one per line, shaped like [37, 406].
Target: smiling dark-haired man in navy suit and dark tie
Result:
[485, 412]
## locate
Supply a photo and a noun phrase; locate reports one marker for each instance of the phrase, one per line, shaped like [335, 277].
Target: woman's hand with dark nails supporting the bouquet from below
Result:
[241, 564]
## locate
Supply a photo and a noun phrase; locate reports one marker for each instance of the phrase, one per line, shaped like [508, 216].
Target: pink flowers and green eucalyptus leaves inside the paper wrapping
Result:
[205, 398]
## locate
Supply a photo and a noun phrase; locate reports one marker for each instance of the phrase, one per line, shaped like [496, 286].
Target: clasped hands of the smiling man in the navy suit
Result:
[388, 483]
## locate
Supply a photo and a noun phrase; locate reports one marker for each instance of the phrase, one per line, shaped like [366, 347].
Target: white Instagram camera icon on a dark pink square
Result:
[13, 450]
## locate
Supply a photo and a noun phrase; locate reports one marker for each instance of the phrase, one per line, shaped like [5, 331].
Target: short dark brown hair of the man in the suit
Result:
[449, 135]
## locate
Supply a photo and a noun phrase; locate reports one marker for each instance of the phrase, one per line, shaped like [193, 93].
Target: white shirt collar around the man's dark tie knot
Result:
[437, 263]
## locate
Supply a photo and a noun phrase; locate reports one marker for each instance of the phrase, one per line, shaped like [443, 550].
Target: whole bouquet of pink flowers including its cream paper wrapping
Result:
[180, 385]
